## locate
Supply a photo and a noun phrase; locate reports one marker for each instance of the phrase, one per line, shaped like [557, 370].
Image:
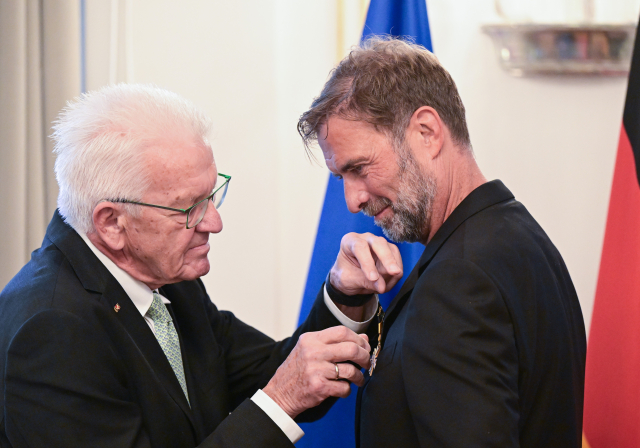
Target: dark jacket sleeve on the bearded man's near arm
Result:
[460, 360]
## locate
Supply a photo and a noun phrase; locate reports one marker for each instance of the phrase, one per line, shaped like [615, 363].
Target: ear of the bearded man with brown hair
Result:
[426, 131]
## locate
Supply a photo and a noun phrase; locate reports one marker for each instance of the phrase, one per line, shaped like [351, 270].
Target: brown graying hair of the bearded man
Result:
[383, 82]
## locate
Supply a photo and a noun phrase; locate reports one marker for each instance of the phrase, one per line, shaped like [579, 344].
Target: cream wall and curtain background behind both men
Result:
[254, 66]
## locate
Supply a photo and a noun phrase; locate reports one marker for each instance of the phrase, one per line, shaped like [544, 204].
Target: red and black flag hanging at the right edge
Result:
[612, 387]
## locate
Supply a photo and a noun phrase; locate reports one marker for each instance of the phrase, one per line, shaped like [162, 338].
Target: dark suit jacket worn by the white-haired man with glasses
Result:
[77, 373]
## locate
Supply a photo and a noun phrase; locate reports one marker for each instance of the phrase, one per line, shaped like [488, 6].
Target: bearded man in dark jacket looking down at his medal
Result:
[484, 345]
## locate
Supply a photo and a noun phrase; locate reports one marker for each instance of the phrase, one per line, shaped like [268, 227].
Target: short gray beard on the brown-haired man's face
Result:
[410, 221]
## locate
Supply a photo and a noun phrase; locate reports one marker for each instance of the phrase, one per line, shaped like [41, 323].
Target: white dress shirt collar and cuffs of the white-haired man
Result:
[142, 296]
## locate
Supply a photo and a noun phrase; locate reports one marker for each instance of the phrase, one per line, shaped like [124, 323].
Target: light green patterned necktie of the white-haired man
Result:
[168, 338]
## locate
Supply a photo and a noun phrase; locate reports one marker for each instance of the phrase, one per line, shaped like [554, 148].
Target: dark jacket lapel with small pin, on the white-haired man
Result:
[94, 276]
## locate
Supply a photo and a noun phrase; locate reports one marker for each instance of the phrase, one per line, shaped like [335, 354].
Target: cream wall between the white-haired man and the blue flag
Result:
[253, 66]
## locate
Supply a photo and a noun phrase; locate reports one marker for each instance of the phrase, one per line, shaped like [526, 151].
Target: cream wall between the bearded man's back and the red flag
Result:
[552, 140]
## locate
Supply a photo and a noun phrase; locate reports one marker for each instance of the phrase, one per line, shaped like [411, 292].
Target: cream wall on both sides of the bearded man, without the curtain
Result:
[254, 66]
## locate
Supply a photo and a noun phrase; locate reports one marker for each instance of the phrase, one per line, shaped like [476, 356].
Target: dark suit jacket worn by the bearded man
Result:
[484, 346]
